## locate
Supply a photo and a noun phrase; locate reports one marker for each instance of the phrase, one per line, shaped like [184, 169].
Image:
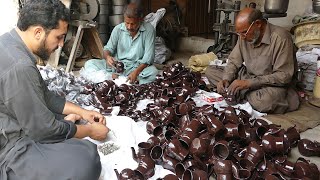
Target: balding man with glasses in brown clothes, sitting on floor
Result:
[261, 66]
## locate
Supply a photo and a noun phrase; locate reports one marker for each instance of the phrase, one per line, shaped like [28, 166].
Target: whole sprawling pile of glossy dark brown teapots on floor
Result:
[197, 142]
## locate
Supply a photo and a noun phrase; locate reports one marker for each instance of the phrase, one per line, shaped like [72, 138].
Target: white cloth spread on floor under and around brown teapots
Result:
[127, 133]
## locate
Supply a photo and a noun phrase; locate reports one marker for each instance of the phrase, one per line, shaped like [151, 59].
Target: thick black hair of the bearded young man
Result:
[45, 13]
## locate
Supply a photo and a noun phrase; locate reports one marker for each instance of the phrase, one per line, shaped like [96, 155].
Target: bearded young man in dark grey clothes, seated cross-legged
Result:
[35, 144]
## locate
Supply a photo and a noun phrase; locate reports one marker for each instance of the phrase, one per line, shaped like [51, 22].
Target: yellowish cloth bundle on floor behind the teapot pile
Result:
[199, 63]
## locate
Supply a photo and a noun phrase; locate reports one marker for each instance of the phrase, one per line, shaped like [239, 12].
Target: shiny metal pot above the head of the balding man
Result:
[276, 6]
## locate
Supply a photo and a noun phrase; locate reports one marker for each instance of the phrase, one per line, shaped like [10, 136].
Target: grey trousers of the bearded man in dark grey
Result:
[72, 159]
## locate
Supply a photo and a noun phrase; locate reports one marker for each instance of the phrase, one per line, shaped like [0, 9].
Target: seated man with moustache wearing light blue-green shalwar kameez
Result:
[131, 42]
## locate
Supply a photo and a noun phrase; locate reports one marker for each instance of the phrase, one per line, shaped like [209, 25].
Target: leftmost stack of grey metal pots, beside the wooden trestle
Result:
[103, 20]
